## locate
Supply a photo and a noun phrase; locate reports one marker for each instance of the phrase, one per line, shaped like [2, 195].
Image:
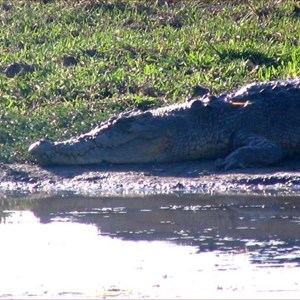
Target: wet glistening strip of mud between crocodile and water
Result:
[145, 179]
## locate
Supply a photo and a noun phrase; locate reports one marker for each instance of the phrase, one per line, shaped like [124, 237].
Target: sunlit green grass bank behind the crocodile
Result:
[128, 54]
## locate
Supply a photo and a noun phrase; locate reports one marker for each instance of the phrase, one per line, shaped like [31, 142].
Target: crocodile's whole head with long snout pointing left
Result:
[130, 138]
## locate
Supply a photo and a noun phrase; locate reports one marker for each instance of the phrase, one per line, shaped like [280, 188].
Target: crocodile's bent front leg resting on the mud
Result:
[250, 150]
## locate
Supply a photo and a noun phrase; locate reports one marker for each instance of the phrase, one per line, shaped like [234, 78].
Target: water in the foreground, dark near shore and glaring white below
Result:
[187, 246]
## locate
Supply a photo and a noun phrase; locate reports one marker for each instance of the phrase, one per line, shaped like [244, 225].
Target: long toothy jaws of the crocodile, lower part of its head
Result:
[74, 152]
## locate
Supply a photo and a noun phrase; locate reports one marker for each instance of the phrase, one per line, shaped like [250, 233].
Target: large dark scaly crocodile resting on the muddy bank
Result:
[255, 125]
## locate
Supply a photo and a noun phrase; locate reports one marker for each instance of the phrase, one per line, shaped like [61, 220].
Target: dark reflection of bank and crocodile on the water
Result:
[267, 229]
